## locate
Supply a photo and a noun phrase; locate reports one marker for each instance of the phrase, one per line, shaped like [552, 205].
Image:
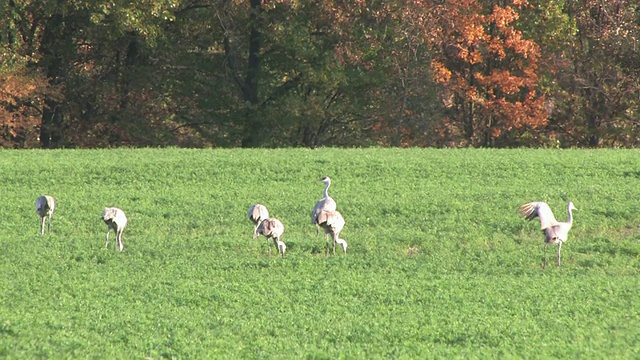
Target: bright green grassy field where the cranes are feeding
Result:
[439, 264]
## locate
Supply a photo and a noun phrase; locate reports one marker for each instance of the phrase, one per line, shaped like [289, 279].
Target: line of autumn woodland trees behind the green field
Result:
[271, 73]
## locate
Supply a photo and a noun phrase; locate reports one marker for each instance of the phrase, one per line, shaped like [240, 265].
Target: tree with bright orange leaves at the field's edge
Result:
[486, 69]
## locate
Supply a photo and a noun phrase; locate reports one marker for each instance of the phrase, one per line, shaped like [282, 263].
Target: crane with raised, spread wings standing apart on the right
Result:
[554, 232]
